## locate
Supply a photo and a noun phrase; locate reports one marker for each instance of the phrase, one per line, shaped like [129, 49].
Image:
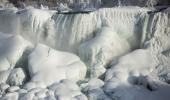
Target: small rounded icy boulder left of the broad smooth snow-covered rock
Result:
[16, 77]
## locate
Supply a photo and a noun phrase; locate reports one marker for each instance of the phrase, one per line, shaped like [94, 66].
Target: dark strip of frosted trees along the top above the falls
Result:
[104, 3]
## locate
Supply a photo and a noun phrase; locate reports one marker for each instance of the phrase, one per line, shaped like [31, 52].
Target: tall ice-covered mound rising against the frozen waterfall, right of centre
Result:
[99, 51]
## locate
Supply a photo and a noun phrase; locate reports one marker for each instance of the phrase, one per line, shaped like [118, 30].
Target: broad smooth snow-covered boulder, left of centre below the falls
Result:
[49, 65]
